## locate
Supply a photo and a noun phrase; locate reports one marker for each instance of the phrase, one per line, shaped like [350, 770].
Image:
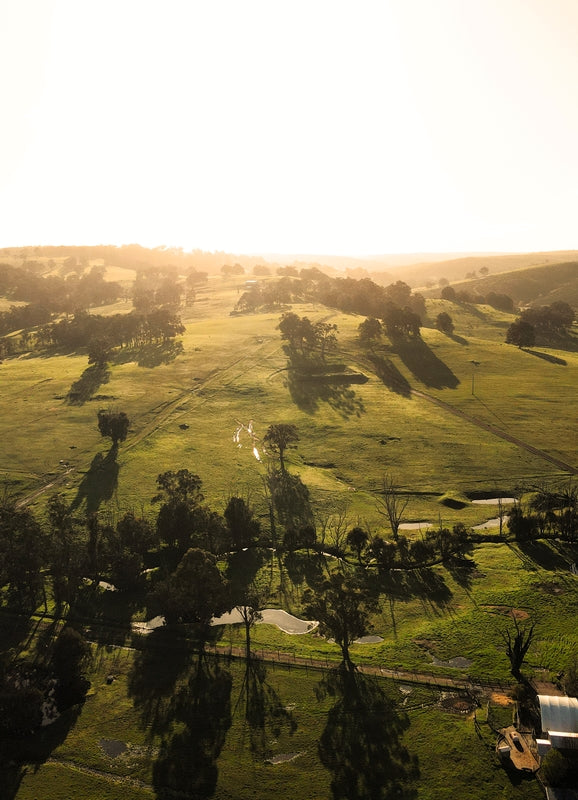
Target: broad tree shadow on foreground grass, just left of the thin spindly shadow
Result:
[200, 714]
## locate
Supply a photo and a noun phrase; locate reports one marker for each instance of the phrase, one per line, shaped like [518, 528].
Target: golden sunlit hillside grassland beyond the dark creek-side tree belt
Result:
[184, 408]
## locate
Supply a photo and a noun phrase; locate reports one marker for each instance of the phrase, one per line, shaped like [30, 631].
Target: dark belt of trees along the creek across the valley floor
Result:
[207, 562]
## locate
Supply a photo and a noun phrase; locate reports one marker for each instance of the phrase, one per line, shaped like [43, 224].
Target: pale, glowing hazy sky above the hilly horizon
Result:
[290, 126]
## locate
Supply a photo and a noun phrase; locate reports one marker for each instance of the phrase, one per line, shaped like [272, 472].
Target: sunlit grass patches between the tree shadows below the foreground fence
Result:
[445, 745]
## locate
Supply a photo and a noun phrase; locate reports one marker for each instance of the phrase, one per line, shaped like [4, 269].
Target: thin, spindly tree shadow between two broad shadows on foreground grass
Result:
[265, 715]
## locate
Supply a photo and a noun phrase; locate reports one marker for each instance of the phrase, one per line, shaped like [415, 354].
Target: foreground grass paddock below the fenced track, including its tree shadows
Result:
[303, 735]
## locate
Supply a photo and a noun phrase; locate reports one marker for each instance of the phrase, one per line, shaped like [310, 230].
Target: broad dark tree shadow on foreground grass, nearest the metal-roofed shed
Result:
[362, 743]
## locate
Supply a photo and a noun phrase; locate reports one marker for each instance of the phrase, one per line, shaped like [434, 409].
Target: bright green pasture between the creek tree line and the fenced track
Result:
[434, 615]
